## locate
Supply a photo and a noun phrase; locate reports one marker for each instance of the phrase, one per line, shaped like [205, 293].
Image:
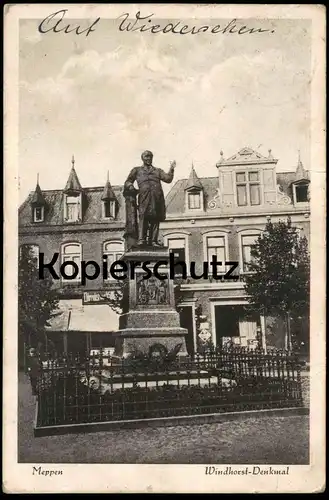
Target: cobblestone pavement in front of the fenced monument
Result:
[262, 440]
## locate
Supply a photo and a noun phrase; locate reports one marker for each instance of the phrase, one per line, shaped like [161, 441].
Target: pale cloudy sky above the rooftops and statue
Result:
[107, 97]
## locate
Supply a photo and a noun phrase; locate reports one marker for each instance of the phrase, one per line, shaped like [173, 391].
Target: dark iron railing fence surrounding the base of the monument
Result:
[74, 389]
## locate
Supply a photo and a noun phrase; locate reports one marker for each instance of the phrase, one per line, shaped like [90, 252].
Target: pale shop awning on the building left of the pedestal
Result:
[84, 318]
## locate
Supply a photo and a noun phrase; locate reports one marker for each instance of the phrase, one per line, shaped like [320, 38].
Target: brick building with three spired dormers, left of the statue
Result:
[80, 224]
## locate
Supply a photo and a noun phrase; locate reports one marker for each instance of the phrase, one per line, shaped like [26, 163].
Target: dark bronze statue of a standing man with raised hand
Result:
[151, 202]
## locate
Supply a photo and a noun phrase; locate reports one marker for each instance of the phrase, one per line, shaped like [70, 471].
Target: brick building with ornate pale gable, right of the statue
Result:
[222, 216]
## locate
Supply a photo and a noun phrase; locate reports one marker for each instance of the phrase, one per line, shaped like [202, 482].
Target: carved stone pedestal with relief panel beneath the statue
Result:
[151, 317]
